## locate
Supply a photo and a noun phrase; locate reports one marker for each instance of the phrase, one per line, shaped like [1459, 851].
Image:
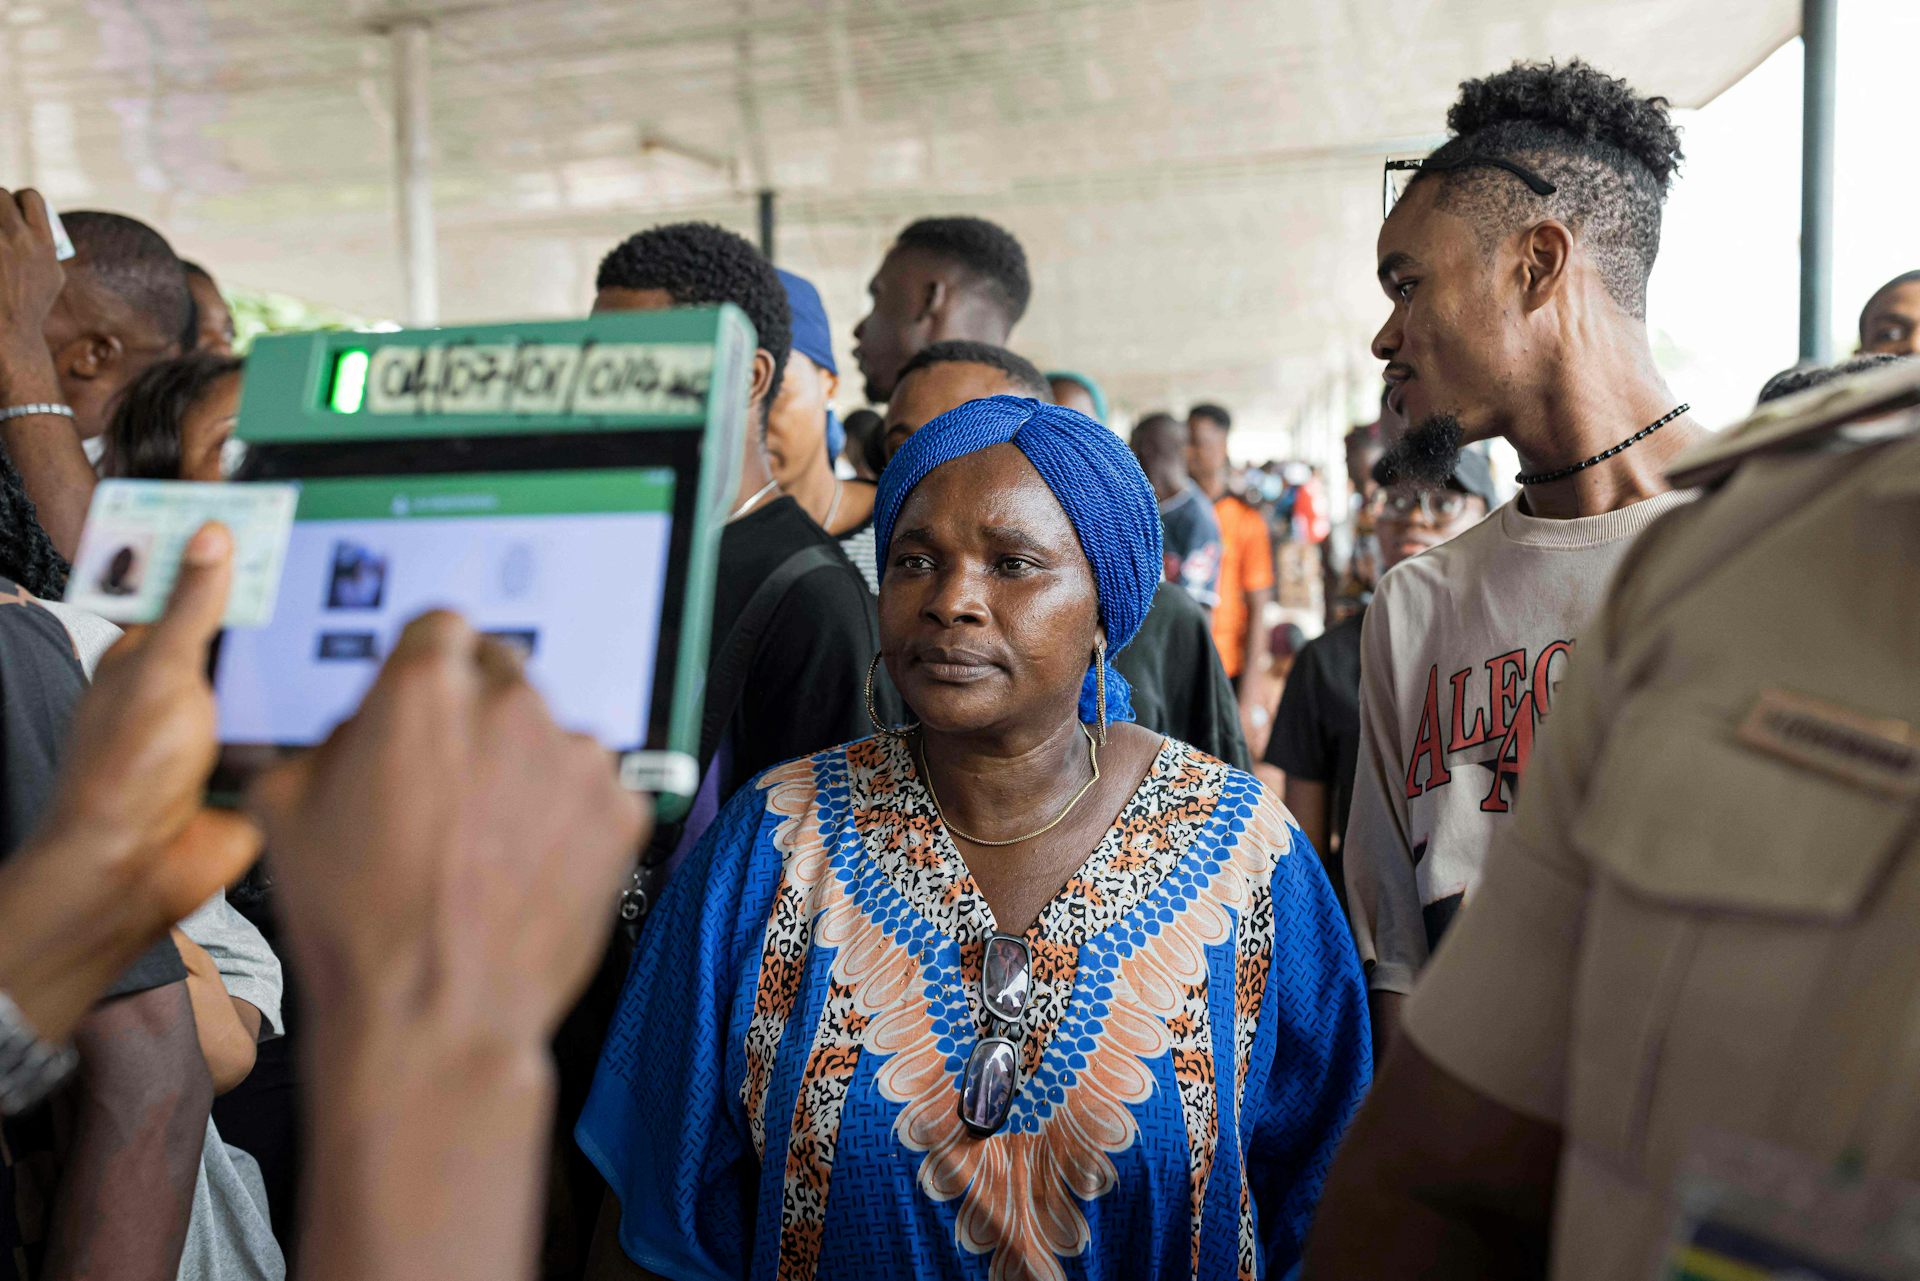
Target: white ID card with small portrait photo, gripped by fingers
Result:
[137, 529]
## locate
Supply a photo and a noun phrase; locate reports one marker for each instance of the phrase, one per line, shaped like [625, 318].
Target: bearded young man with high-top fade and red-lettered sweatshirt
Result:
[1516, 262]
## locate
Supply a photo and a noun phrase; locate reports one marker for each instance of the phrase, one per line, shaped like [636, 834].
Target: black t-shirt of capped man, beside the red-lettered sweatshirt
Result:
[1316, 735]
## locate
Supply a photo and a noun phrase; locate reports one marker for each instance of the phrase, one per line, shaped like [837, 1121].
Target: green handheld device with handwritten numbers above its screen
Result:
[562, 485]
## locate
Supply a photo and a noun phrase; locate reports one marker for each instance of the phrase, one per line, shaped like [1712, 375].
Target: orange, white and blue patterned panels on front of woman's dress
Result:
[1184, 869]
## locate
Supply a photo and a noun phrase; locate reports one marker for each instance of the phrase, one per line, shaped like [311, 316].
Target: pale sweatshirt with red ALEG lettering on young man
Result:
[1460, 656]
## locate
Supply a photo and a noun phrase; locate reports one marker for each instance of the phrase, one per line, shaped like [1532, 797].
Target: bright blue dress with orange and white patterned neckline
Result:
[780, 1090]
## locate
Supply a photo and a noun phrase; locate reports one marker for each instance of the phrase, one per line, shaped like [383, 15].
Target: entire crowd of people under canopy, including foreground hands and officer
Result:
[1051, 896]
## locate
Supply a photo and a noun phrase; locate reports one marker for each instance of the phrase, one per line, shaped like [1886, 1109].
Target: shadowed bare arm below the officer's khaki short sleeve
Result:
[1435, 1182]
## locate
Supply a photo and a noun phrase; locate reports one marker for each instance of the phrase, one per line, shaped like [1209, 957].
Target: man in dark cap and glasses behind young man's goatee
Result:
[1316, 735]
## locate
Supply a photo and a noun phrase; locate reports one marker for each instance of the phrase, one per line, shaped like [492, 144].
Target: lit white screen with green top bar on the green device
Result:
[523, 556]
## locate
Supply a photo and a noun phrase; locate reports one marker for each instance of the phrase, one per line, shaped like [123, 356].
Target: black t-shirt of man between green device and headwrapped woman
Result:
[805, 689]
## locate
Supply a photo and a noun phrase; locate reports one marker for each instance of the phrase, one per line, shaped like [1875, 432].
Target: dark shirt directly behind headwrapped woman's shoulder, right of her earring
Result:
[1180, 689]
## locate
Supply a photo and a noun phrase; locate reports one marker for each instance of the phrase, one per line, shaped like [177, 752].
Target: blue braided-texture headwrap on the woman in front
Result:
[1099, 485]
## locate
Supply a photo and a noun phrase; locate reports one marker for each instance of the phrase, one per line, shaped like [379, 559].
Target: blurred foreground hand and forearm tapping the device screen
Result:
[448, 859]
